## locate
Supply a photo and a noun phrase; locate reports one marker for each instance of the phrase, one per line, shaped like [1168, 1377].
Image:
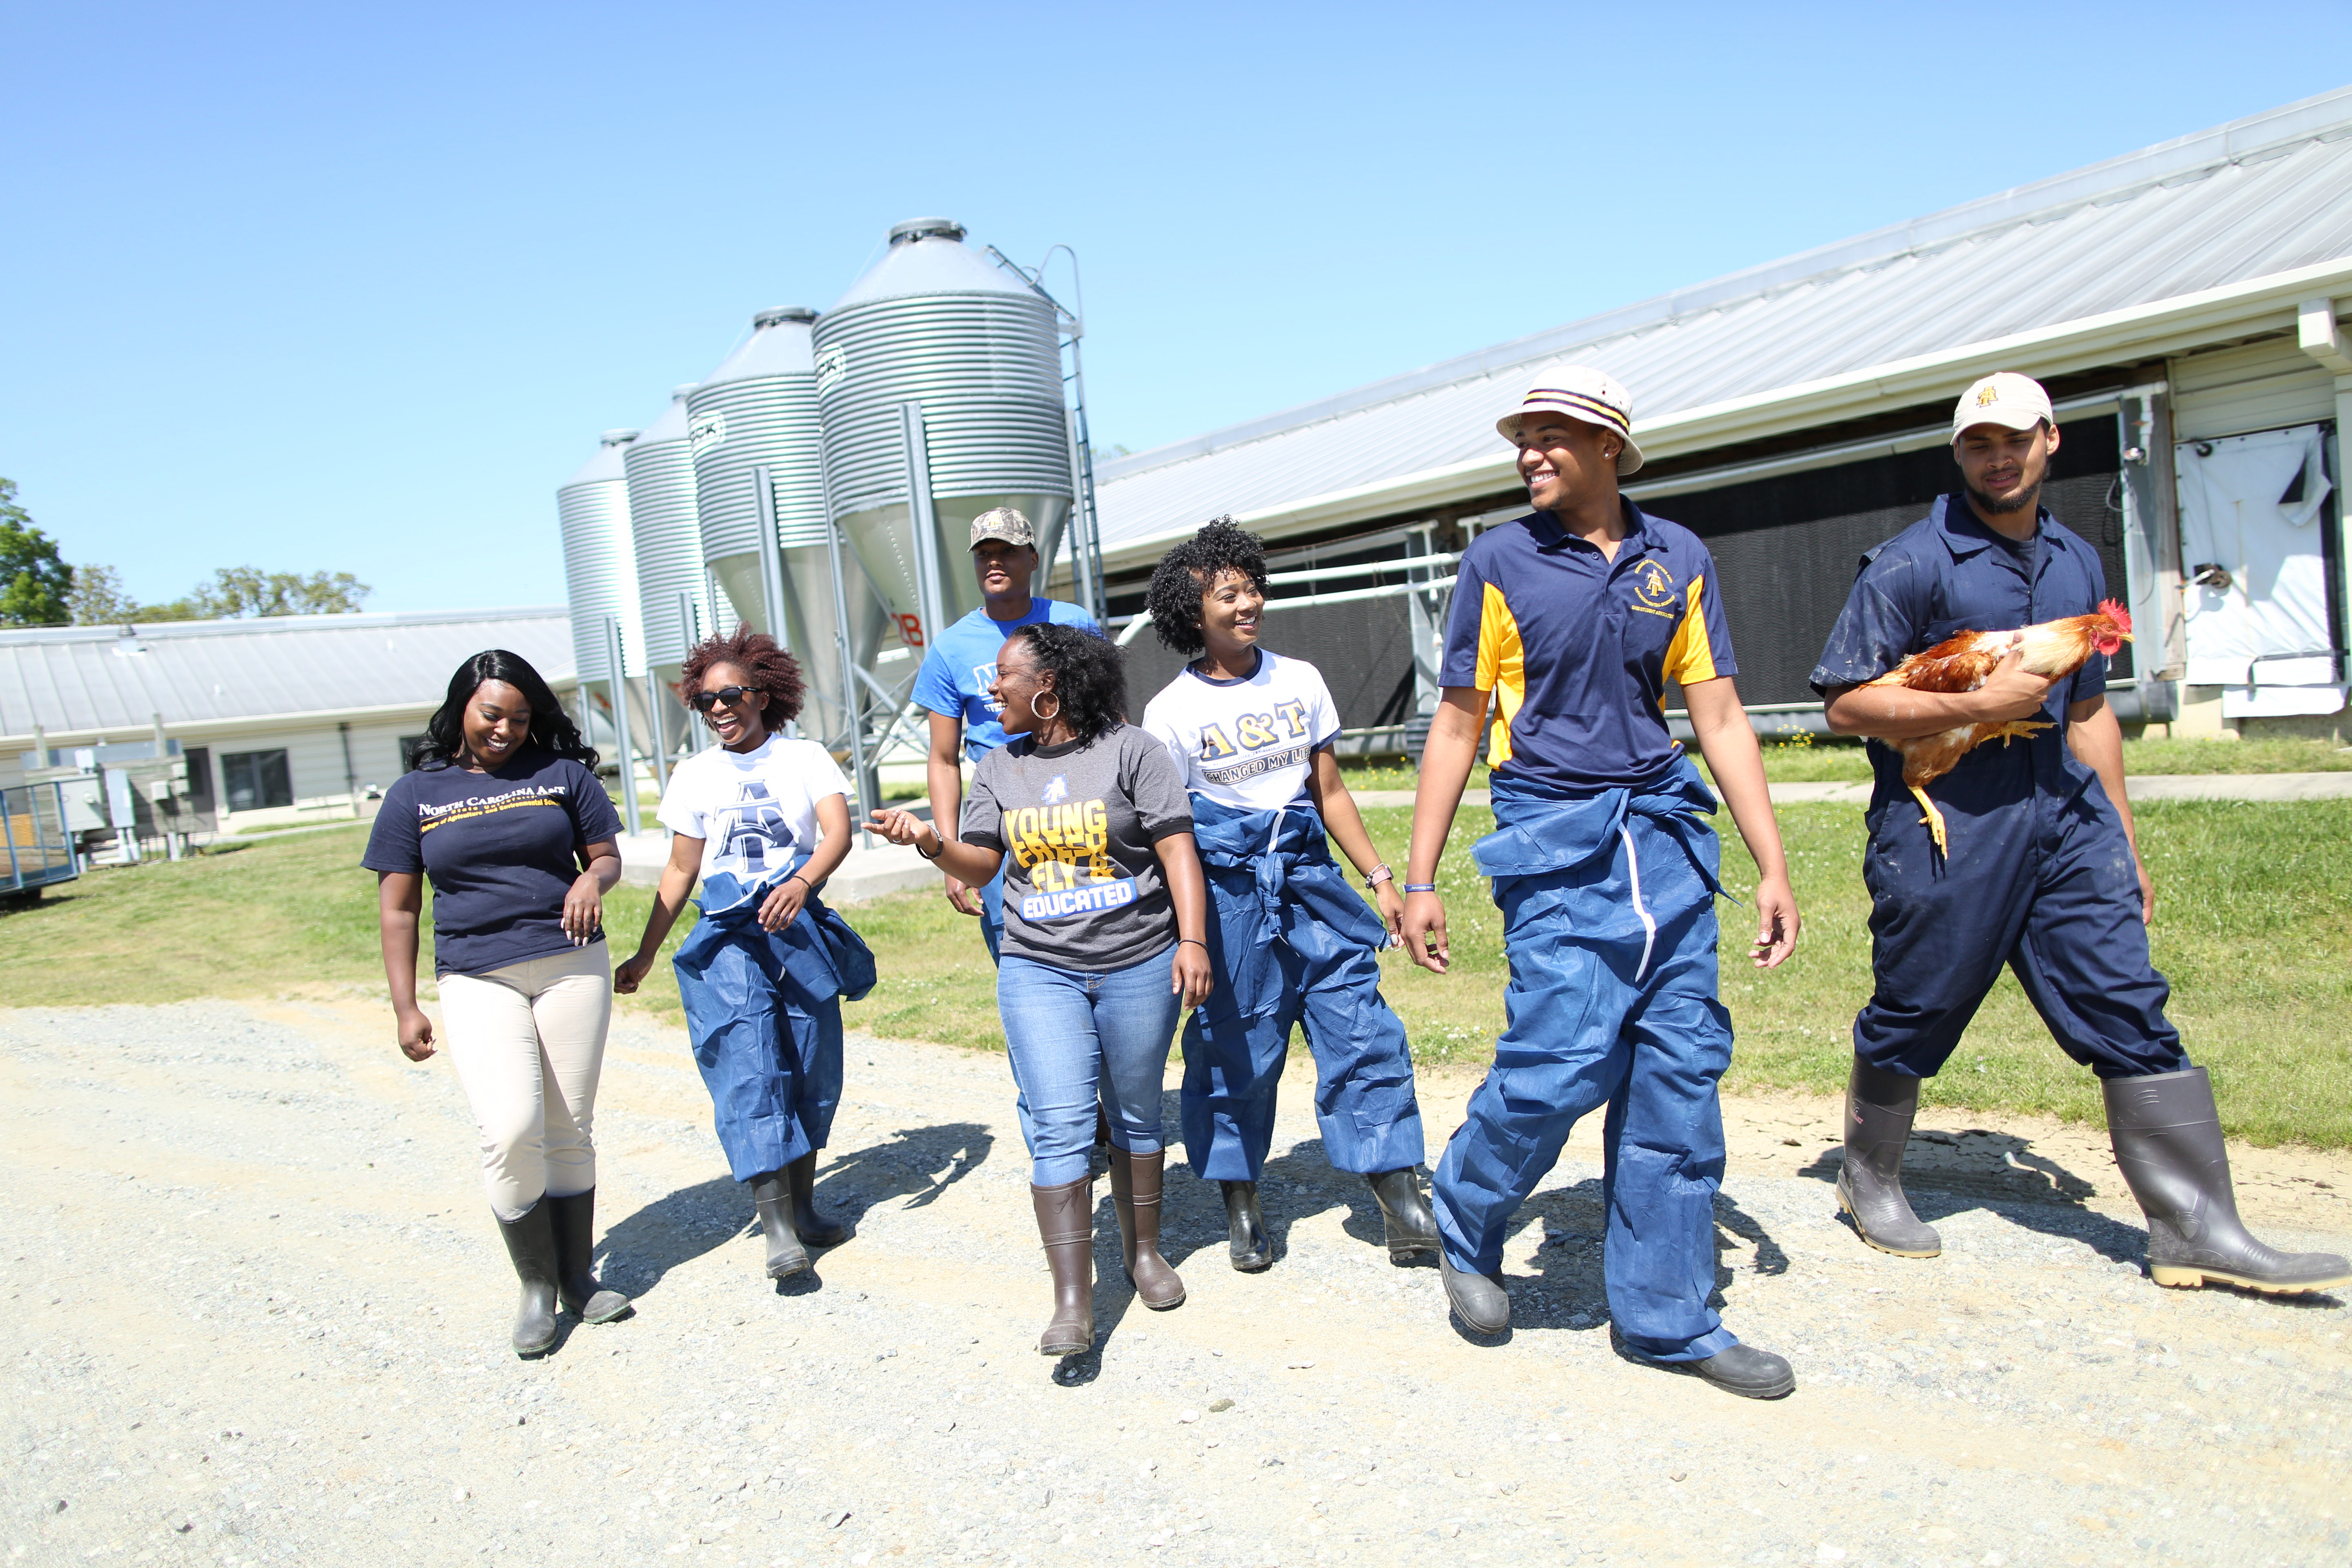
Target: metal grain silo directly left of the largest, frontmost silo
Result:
[761, 495]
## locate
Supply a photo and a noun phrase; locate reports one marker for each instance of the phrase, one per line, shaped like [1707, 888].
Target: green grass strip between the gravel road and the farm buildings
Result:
[2252, 930]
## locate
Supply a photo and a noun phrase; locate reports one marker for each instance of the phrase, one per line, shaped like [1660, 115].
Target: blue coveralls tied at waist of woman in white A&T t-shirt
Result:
[1290, 944]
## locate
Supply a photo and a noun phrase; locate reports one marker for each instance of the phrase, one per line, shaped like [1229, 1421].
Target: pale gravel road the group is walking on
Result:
[258, 1315]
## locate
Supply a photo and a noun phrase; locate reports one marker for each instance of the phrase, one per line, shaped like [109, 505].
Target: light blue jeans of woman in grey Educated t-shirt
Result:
[1083, 1038]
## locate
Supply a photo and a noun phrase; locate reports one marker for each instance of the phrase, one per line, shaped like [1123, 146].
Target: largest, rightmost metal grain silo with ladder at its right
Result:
[940, 380]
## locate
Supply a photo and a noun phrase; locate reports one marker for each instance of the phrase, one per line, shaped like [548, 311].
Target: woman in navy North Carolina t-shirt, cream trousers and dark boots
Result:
[507, 819]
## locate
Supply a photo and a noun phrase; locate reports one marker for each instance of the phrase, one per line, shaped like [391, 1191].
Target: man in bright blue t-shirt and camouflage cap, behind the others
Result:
[958, 671]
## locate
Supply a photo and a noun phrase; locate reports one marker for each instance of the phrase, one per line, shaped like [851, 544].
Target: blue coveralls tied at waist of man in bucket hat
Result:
[1610, 925]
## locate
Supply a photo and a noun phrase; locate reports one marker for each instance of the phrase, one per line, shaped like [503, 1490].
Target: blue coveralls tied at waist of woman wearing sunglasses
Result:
[766, 1019]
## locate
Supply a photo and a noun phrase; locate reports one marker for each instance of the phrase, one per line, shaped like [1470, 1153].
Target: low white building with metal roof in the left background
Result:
[281, 721]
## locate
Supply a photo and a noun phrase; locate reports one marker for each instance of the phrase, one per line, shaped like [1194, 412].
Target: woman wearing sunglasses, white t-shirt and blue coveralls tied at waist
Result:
[761, 822]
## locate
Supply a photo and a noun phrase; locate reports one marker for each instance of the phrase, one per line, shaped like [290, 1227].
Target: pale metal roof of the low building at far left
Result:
[95, 678]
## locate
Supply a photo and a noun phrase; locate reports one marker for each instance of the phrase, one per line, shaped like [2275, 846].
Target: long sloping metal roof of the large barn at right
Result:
[2238, 220]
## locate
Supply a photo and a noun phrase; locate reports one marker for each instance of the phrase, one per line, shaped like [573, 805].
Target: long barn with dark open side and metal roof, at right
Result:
[2189, 309]
